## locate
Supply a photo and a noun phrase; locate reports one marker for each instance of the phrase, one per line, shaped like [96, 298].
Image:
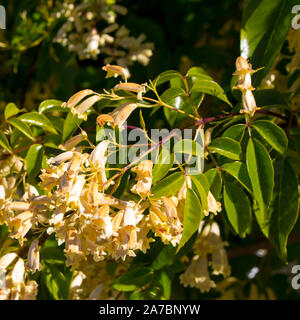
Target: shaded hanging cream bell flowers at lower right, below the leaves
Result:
[208, 251]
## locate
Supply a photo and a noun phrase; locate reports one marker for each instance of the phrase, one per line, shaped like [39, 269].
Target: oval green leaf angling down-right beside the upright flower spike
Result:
[273, 134]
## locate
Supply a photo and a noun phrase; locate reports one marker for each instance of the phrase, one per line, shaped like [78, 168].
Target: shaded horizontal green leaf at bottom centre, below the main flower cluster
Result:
[133, 280]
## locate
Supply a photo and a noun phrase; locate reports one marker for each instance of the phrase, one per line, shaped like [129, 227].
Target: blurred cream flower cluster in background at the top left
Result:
[80, 34]
